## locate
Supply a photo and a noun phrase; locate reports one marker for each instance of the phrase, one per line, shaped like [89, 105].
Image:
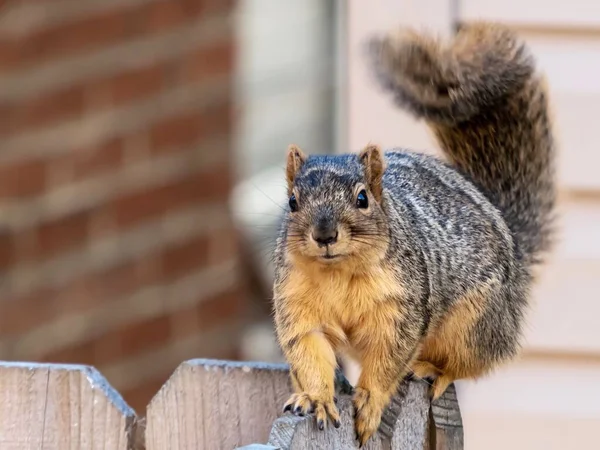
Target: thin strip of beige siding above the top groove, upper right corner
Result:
[578, 13]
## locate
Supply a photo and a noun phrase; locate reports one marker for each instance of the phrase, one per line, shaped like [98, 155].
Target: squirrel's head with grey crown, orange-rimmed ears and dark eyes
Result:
[335, 214]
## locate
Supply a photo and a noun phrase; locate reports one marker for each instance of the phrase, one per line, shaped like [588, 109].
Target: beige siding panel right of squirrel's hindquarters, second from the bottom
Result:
[565, 313]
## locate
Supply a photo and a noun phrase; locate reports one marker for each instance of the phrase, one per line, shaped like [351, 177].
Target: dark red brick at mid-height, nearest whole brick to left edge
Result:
[63, 234]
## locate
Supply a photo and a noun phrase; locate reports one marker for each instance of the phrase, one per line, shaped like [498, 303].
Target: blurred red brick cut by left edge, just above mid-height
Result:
[22, 179]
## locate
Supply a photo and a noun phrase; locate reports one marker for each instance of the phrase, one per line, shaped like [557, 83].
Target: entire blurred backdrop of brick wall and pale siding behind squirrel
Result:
[141, 180]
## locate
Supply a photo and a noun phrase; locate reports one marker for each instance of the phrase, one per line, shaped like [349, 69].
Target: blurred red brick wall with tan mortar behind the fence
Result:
[116, 244]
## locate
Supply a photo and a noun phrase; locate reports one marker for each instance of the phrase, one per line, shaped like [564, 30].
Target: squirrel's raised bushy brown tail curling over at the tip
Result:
[487, 106]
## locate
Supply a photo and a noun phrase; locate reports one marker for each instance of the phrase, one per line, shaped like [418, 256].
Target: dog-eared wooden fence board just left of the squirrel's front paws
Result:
[216, 405]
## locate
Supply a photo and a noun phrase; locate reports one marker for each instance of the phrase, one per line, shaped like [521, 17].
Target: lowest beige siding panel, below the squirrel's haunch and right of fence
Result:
[533, 404]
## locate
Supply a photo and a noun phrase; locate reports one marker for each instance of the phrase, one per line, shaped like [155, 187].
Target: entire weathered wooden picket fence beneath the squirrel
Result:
[206, 404]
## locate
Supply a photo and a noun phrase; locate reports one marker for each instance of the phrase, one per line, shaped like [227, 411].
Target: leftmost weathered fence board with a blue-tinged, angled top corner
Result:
[62, 407]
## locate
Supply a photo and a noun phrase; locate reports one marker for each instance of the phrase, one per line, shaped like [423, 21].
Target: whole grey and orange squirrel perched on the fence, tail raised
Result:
[411, 264]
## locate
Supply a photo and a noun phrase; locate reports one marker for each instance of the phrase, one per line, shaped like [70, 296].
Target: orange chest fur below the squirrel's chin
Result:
[340, 302]
